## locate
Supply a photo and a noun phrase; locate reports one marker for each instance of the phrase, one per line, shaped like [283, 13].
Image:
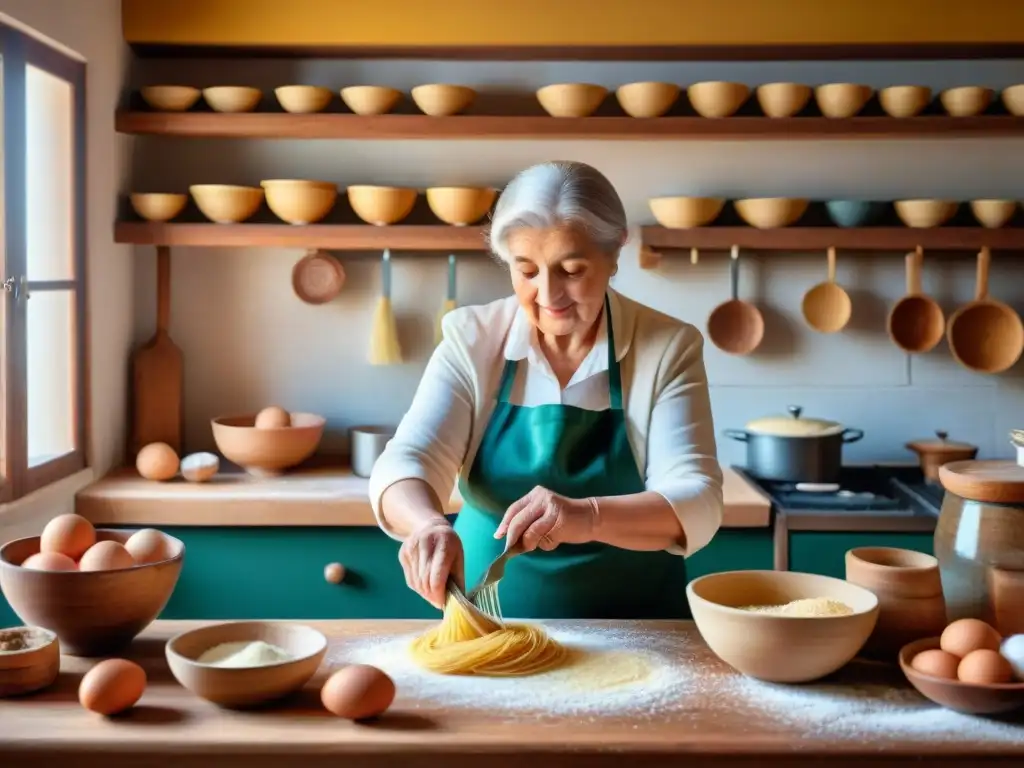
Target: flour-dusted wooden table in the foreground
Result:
[717, 719]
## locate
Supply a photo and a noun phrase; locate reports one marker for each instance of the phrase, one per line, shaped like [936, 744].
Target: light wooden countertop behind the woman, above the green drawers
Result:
[331, 496]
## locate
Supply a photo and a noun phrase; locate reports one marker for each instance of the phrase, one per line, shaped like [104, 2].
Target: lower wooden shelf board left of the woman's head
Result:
[333, 237]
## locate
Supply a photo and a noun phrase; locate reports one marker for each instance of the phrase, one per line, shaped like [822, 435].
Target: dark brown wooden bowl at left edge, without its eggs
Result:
[93, 613]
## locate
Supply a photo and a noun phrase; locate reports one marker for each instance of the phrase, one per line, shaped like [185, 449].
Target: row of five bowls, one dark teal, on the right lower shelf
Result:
[771, 214]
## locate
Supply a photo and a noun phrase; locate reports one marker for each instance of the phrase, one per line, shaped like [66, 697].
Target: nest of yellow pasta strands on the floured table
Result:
[466, 644]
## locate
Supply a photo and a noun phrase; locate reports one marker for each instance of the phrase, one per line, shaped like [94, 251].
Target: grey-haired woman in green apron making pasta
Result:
[576, 420]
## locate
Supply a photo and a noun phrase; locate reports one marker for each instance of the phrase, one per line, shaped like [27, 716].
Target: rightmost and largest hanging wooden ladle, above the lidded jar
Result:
[986, 335]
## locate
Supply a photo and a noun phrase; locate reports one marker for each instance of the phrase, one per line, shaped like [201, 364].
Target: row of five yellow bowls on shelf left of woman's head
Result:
[306, 202]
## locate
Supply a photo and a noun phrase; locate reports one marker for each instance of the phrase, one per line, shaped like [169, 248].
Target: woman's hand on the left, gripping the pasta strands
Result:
[429, 557]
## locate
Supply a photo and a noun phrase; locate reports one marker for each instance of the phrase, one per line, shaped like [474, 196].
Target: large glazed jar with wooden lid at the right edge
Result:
[979, 542]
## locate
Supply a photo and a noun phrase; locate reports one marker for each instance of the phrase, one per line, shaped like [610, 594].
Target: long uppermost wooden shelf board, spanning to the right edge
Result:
[346, 126]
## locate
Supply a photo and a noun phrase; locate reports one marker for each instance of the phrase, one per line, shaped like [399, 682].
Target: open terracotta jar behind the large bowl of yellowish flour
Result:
[910, 591]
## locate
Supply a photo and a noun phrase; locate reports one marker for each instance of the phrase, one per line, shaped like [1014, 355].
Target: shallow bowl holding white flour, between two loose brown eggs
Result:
[247, 687]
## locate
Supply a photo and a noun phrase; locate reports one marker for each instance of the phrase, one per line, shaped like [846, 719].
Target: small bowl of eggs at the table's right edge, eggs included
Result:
[970, 669]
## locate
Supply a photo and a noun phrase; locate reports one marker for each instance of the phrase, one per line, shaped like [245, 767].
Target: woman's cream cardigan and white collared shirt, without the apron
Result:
[666, 400]
